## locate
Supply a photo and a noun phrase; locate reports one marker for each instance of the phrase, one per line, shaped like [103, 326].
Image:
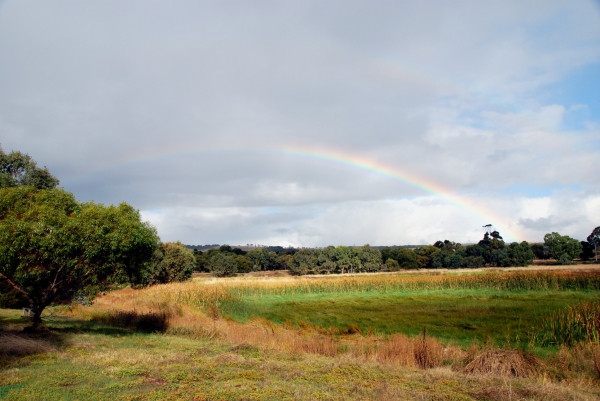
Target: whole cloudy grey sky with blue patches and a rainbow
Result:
[314, 123]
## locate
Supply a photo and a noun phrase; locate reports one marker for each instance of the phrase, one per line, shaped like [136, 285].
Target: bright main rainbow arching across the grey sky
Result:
[351, 160]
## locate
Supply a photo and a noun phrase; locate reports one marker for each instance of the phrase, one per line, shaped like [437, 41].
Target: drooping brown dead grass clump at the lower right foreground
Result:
[504, 362]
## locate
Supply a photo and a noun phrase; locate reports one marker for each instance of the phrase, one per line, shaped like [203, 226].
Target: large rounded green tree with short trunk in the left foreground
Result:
[52, 246]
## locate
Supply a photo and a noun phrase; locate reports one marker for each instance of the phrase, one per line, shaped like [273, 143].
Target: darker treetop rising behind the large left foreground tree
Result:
[19, 169]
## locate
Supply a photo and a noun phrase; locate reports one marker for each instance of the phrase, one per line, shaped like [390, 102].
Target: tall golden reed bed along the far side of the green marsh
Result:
[217, 296]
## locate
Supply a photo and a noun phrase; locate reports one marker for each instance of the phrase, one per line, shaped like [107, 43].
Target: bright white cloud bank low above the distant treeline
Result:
[419, 220]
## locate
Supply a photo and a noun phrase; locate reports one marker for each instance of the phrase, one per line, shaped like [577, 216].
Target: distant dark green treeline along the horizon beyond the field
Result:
[491, 251]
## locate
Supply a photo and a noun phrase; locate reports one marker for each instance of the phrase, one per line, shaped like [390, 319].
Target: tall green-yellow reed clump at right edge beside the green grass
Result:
[576, 324]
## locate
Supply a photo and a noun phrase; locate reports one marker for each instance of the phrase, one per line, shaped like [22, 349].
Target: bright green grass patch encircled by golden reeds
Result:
[460, 316]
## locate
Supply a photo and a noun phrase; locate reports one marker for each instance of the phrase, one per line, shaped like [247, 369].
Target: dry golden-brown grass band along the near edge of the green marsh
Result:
[263, 334]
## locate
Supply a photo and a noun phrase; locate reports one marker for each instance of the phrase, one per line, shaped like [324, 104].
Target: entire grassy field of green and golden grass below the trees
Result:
[336, 338]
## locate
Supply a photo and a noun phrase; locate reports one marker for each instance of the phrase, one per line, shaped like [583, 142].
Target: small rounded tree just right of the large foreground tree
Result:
[172, 262]
